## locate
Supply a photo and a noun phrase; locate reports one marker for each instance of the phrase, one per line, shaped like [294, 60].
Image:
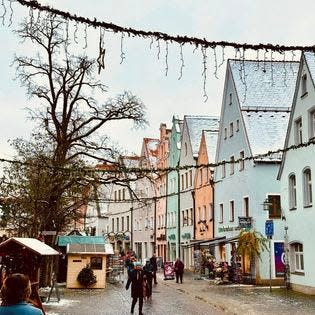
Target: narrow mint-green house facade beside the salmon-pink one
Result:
[172, 202]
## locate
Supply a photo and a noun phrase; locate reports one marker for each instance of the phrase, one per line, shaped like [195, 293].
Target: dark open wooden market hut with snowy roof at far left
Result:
[24, 255]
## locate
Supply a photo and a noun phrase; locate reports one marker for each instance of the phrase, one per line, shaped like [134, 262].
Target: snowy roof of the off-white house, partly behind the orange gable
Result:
[195, 126]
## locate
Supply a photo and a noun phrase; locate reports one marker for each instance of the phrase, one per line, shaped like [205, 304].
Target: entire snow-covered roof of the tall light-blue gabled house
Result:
[265, 98]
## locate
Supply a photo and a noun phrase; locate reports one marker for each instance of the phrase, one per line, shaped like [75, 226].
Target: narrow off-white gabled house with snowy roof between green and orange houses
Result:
[191, 137]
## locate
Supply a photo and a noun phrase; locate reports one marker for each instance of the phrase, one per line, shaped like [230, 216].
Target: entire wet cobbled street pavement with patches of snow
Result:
[194, 296]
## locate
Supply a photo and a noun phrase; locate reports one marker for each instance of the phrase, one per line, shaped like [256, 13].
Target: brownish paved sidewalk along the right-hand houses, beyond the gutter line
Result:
[244, 299]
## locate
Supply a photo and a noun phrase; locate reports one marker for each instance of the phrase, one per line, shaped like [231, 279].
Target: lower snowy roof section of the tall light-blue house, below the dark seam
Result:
[266, 130]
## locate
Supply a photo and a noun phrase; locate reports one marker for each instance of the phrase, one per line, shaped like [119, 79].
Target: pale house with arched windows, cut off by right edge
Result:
[296, 172]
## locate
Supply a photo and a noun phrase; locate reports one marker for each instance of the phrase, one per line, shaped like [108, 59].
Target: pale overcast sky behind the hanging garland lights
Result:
[277, 22]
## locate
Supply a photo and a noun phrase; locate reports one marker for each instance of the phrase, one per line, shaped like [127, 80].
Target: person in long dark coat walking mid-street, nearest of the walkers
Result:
[136, 280]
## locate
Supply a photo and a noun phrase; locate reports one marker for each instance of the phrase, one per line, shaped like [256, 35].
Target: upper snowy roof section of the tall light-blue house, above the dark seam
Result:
[266, 84]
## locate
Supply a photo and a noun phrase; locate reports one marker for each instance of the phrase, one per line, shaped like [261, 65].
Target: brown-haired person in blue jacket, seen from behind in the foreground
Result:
[15, 293]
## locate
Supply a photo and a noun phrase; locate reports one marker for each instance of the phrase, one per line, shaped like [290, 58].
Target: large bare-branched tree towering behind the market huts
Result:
[70, 116]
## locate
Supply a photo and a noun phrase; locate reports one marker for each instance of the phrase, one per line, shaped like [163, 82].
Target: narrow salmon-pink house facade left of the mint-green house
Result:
[161, 189]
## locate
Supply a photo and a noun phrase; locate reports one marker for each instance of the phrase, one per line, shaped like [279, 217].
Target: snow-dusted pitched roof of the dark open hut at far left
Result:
[33, 244]
